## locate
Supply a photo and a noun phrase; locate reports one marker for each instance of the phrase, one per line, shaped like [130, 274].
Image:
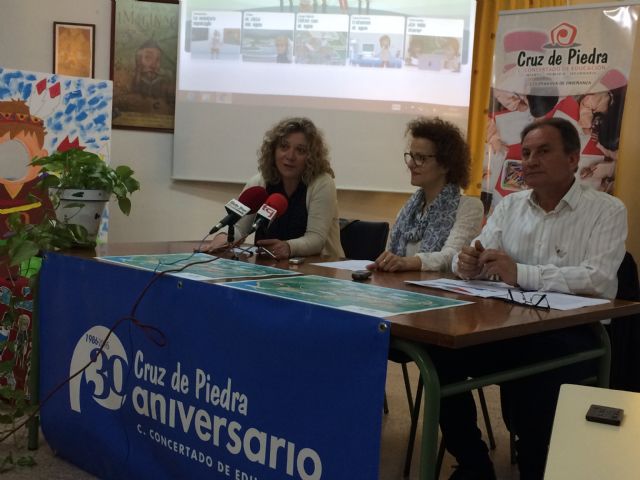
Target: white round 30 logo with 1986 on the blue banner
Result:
[104, 375]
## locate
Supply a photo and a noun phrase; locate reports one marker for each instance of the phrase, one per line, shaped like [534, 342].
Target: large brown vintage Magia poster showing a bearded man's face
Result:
[144, 47]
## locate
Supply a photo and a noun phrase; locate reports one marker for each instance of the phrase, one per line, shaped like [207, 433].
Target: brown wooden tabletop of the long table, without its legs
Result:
[486, 320]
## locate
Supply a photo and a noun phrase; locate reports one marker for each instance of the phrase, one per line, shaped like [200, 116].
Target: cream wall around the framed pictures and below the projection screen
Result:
[163, 209]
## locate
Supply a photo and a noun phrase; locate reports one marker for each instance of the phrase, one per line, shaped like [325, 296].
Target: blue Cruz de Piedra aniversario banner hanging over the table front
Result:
[226, 384]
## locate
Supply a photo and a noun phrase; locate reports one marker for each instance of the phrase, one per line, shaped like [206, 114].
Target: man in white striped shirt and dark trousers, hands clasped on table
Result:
[558, 236]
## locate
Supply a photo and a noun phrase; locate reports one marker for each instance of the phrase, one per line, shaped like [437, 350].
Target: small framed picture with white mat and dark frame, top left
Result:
[74, 49]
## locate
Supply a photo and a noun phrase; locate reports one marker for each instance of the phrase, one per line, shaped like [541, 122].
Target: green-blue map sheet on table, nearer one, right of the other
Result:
[347, 295]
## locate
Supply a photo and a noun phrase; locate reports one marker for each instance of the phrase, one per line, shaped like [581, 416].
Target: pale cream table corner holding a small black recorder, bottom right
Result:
[592, 451]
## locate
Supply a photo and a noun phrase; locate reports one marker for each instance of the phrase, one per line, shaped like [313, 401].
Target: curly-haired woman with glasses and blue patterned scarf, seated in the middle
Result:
[437, 221]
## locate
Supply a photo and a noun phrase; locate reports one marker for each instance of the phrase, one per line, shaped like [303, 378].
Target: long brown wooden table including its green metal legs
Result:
[484, 321]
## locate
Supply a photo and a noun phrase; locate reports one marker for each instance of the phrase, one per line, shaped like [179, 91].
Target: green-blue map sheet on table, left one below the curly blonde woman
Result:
[197, 266]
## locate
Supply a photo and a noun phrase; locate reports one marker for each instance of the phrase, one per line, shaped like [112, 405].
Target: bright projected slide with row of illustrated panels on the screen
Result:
[325, 49]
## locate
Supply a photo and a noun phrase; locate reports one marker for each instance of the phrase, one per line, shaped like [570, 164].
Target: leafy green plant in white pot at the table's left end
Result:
[80, 184]
